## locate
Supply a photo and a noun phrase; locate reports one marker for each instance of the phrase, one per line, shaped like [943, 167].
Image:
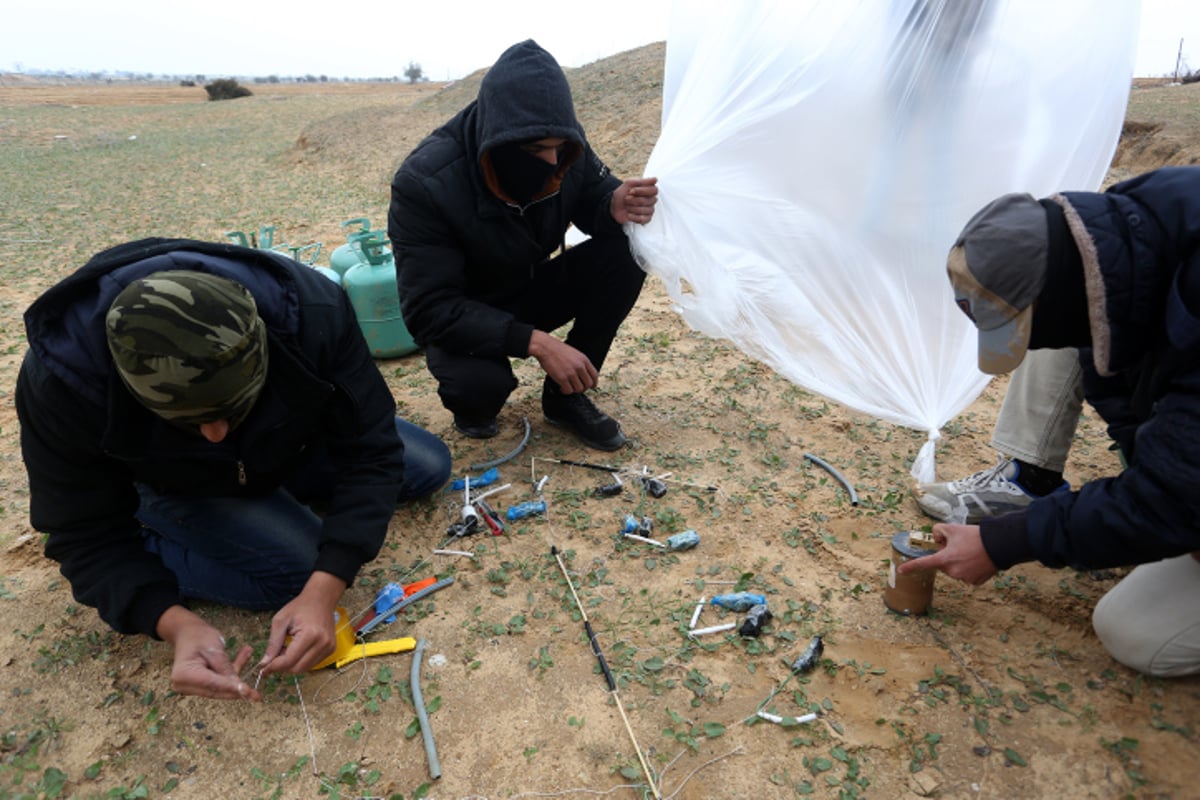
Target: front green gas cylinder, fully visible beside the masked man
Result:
[371, 287]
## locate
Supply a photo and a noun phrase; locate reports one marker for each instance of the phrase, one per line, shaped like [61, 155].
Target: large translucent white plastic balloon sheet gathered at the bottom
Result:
[818, 159]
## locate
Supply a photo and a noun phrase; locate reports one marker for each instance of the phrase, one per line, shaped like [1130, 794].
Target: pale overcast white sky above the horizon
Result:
[377, 39]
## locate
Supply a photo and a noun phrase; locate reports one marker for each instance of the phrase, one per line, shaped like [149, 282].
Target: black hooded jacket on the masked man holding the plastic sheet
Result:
[463, 250]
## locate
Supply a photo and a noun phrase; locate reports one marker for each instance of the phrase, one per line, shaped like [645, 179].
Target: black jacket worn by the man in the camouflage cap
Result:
[87, 441]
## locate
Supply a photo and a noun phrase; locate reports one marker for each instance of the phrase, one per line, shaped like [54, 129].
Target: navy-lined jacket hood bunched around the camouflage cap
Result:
[65, 326]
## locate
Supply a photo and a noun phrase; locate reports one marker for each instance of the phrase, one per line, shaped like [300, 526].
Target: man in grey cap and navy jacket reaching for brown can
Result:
[1118, 276]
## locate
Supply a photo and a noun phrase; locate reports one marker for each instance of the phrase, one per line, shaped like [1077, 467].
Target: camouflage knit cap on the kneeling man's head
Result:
[189, 346]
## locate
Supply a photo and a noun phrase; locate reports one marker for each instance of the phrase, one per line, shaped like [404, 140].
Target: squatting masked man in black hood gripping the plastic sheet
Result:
[478, 212]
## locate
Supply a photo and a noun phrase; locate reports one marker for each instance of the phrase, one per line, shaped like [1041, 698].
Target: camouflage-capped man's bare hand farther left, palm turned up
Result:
[202, 666]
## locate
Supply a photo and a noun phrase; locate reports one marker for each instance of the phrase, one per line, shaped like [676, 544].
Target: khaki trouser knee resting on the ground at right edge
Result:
[1151, 621]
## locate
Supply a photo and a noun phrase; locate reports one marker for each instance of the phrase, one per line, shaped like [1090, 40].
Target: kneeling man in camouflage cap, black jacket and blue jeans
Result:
[182, 405]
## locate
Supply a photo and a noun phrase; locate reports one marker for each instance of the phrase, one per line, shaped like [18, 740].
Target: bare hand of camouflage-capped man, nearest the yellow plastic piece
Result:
[304, 633]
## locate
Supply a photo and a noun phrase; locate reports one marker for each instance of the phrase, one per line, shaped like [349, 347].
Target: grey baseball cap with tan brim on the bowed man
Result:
[998, 268]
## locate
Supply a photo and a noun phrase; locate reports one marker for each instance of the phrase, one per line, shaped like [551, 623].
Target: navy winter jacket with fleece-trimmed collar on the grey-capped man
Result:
[1141, 249]
